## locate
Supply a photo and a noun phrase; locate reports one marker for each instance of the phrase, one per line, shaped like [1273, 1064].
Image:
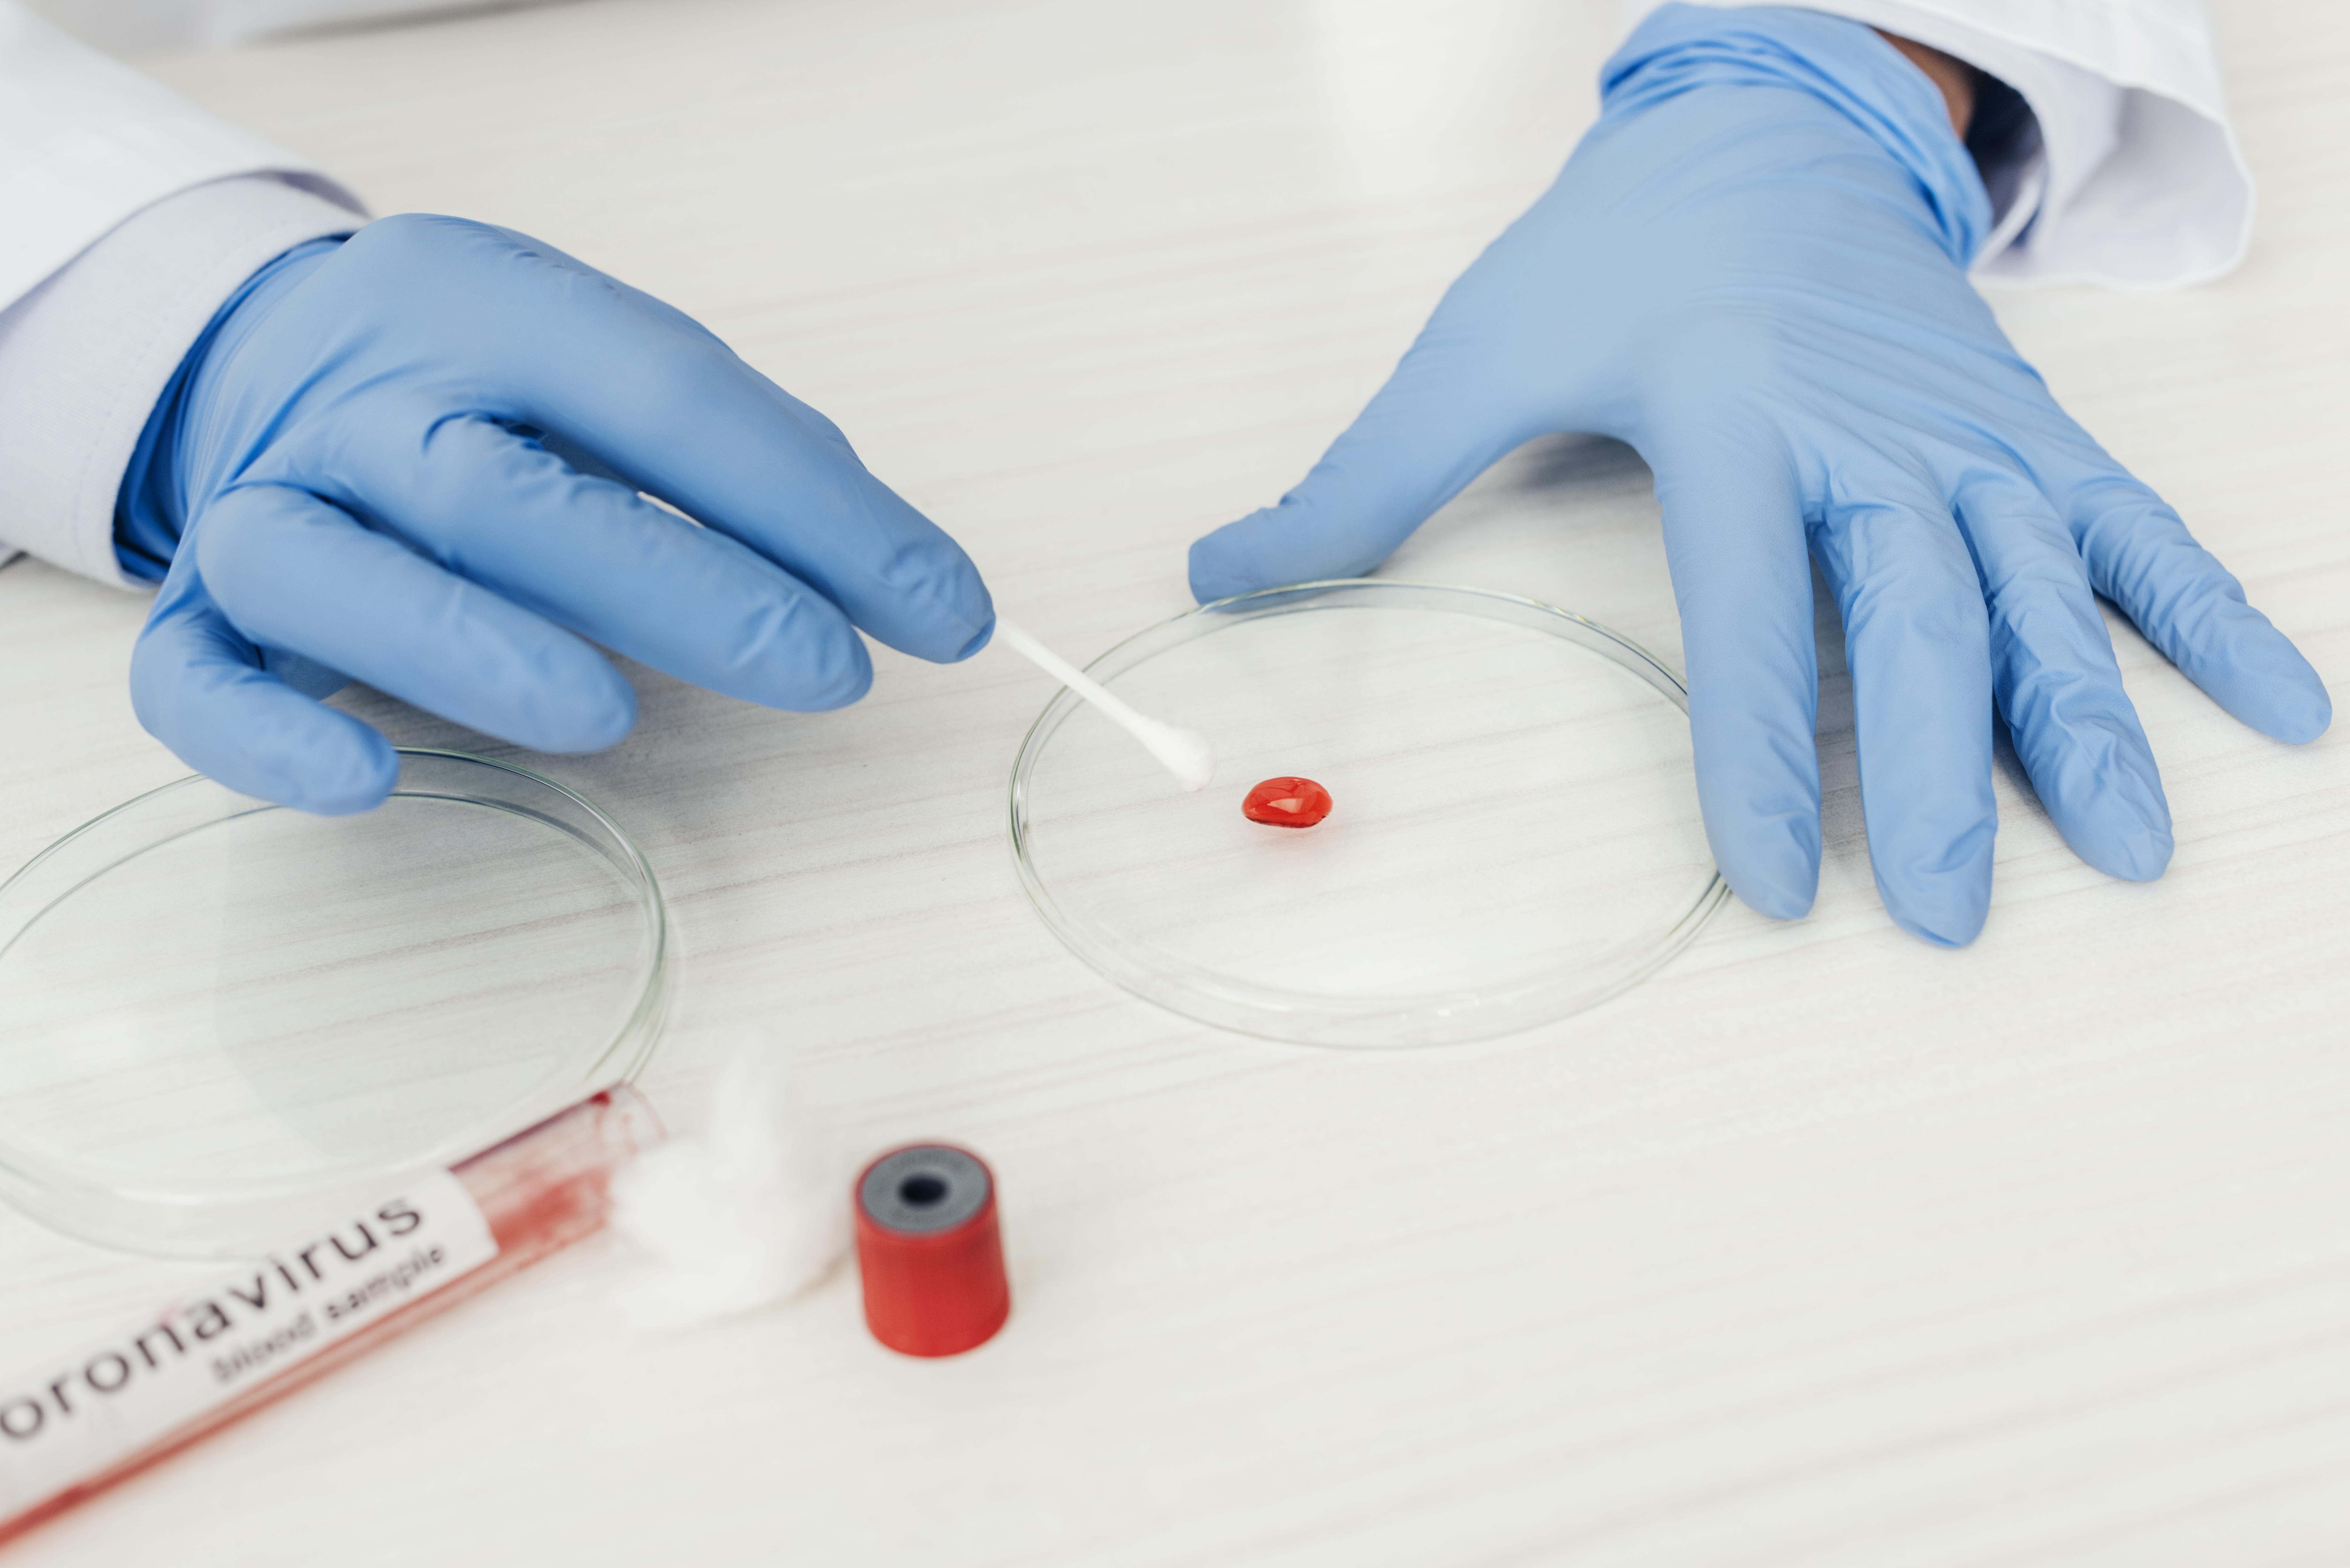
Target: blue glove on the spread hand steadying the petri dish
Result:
[1754, 269]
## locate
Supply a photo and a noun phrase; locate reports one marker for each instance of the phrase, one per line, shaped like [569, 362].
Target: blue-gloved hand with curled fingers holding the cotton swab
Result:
[415, 460]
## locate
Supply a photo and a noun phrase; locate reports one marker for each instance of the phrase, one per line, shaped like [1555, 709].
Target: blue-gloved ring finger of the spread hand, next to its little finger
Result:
[2060, 688]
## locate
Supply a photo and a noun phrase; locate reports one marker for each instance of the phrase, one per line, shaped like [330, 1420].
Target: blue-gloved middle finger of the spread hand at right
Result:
[1919, 643]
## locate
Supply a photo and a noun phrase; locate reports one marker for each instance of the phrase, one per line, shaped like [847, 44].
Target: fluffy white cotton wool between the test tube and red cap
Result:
[739, 1217]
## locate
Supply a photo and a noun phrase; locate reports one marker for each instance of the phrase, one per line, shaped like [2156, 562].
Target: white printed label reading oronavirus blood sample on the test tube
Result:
[81, 1419]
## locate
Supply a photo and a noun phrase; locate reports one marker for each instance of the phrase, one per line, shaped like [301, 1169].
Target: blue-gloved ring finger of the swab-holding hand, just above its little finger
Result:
[300, 575]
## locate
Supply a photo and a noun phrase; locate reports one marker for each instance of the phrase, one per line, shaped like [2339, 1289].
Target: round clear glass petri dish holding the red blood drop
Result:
[1512, 831]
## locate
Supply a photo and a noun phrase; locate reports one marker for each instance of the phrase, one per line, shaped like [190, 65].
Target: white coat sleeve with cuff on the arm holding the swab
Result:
[128, 217]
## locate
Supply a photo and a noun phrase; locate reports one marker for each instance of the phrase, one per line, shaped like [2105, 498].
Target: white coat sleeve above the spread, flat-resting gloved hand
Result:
[2135, 177]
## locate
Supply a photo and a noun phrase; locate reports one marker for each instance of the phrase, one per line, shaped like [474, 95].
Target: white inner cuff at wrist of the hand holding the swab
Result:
[86, 356]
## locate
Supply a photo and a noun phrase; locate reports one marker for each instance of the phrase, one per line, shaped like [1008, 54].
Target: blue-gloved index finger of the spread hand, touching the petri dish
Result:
[1733, 532]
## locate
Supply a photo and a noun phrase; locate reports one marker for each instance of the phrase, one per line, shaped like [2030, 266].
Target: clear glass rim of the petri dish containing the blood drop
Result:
[1315, 1019]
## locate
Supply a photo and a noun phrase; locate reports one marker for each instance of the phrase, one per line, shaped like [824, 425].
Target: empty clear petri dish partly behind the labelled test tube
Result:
[222, 1021]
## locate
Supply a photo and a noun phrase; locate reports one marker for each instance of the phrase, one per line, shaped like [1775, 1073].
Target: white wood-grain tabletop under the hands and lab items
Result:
[1820, 1247]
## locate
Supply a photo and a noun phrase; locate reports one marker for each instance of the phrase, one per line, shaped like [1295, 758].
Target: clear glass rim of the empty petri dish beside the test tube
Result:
[79, 1198]
